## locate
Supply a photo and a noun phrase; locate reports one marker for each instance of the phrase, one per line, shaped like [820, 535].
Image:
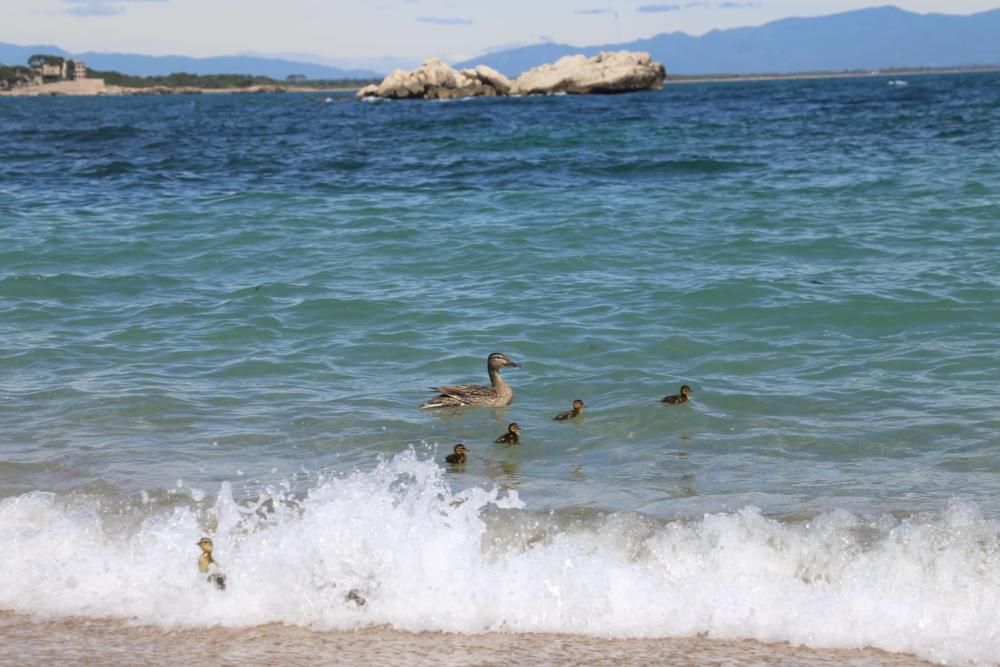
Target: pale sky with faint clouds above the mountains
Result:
[366, 33]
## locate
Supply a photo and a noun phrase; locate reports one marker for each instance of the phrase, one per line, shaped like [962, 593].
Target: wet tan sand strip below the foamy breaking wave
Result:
[25, 640]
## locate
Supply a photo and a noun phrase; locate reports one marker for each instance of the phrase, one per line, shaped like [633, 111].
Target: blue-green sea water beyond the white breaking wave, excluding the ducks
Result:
[258, 290]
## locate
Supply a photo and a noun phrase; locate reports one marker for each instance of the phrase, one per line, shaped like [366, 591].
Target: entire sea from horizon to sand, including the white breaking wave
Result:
[218, 316]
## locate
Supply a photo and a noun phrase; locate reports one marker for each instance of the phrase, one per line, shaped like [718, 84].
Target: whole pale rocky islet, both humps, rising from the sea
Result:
[606, 73]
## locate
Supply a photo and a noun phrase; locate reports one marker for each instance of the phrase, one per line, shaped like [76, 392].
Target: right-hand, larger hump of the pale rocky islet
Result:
[607, 72]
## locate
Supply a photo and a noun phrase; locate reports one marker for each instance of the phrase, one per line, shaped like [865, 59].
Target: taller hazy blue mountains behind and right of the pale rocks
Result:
[865, 39]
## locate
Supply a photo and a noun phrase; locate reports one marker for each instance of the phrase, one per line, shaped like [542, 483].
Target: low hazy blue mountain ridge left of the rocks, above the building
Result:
[140, 65]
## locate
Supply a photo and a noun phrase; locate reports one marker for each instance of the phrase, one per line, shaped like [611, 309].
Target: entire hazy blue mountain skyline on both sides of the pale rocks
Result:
[865, 39]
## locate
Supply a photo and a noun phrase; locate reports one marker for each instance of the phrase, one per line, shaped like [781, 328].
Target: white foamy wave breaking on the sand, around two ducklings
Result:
[426, 558]
